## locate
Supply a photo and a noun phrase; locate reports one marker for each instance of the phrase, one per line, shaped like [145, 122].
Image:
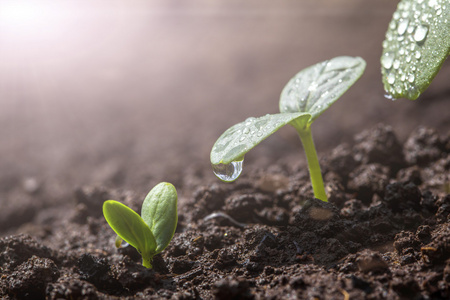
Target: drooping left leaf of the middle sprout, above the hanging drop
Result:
[234, 143]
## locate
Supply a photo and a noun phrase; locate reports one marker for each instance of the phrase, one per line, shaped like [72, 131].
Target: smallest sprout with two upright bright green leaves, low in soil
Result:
[151, 232]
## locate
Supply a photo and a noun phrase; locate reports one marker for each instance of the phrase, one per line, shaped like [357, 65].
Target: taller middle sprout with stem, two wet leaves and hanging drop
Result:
[306, 96]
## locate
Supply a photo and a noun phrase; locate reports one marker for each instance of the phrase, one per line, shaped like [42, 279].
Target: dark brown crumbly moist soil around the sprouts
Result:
[384, 234]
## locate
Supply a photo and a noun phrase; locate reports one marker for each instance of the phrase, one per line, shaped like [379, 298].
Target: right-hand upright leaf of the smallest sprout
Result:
[159, 211]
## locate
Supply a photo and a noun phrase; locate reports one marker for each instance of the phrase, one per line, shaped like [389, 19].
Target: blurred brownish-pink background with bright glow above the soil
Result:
[131, 92]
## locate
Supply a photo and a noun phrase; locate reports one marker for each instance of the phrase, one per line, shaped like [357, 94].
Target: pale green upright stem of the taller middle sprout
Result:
[313, 163]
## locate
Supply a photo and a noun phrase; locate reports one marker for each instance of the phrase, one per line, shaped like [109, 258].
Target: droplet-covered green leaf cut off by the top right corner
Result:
[416, 45]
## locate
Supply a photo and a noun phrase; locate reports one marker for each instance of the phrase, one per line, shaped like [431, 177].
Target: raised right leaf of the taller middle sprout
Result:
[315, 88]
